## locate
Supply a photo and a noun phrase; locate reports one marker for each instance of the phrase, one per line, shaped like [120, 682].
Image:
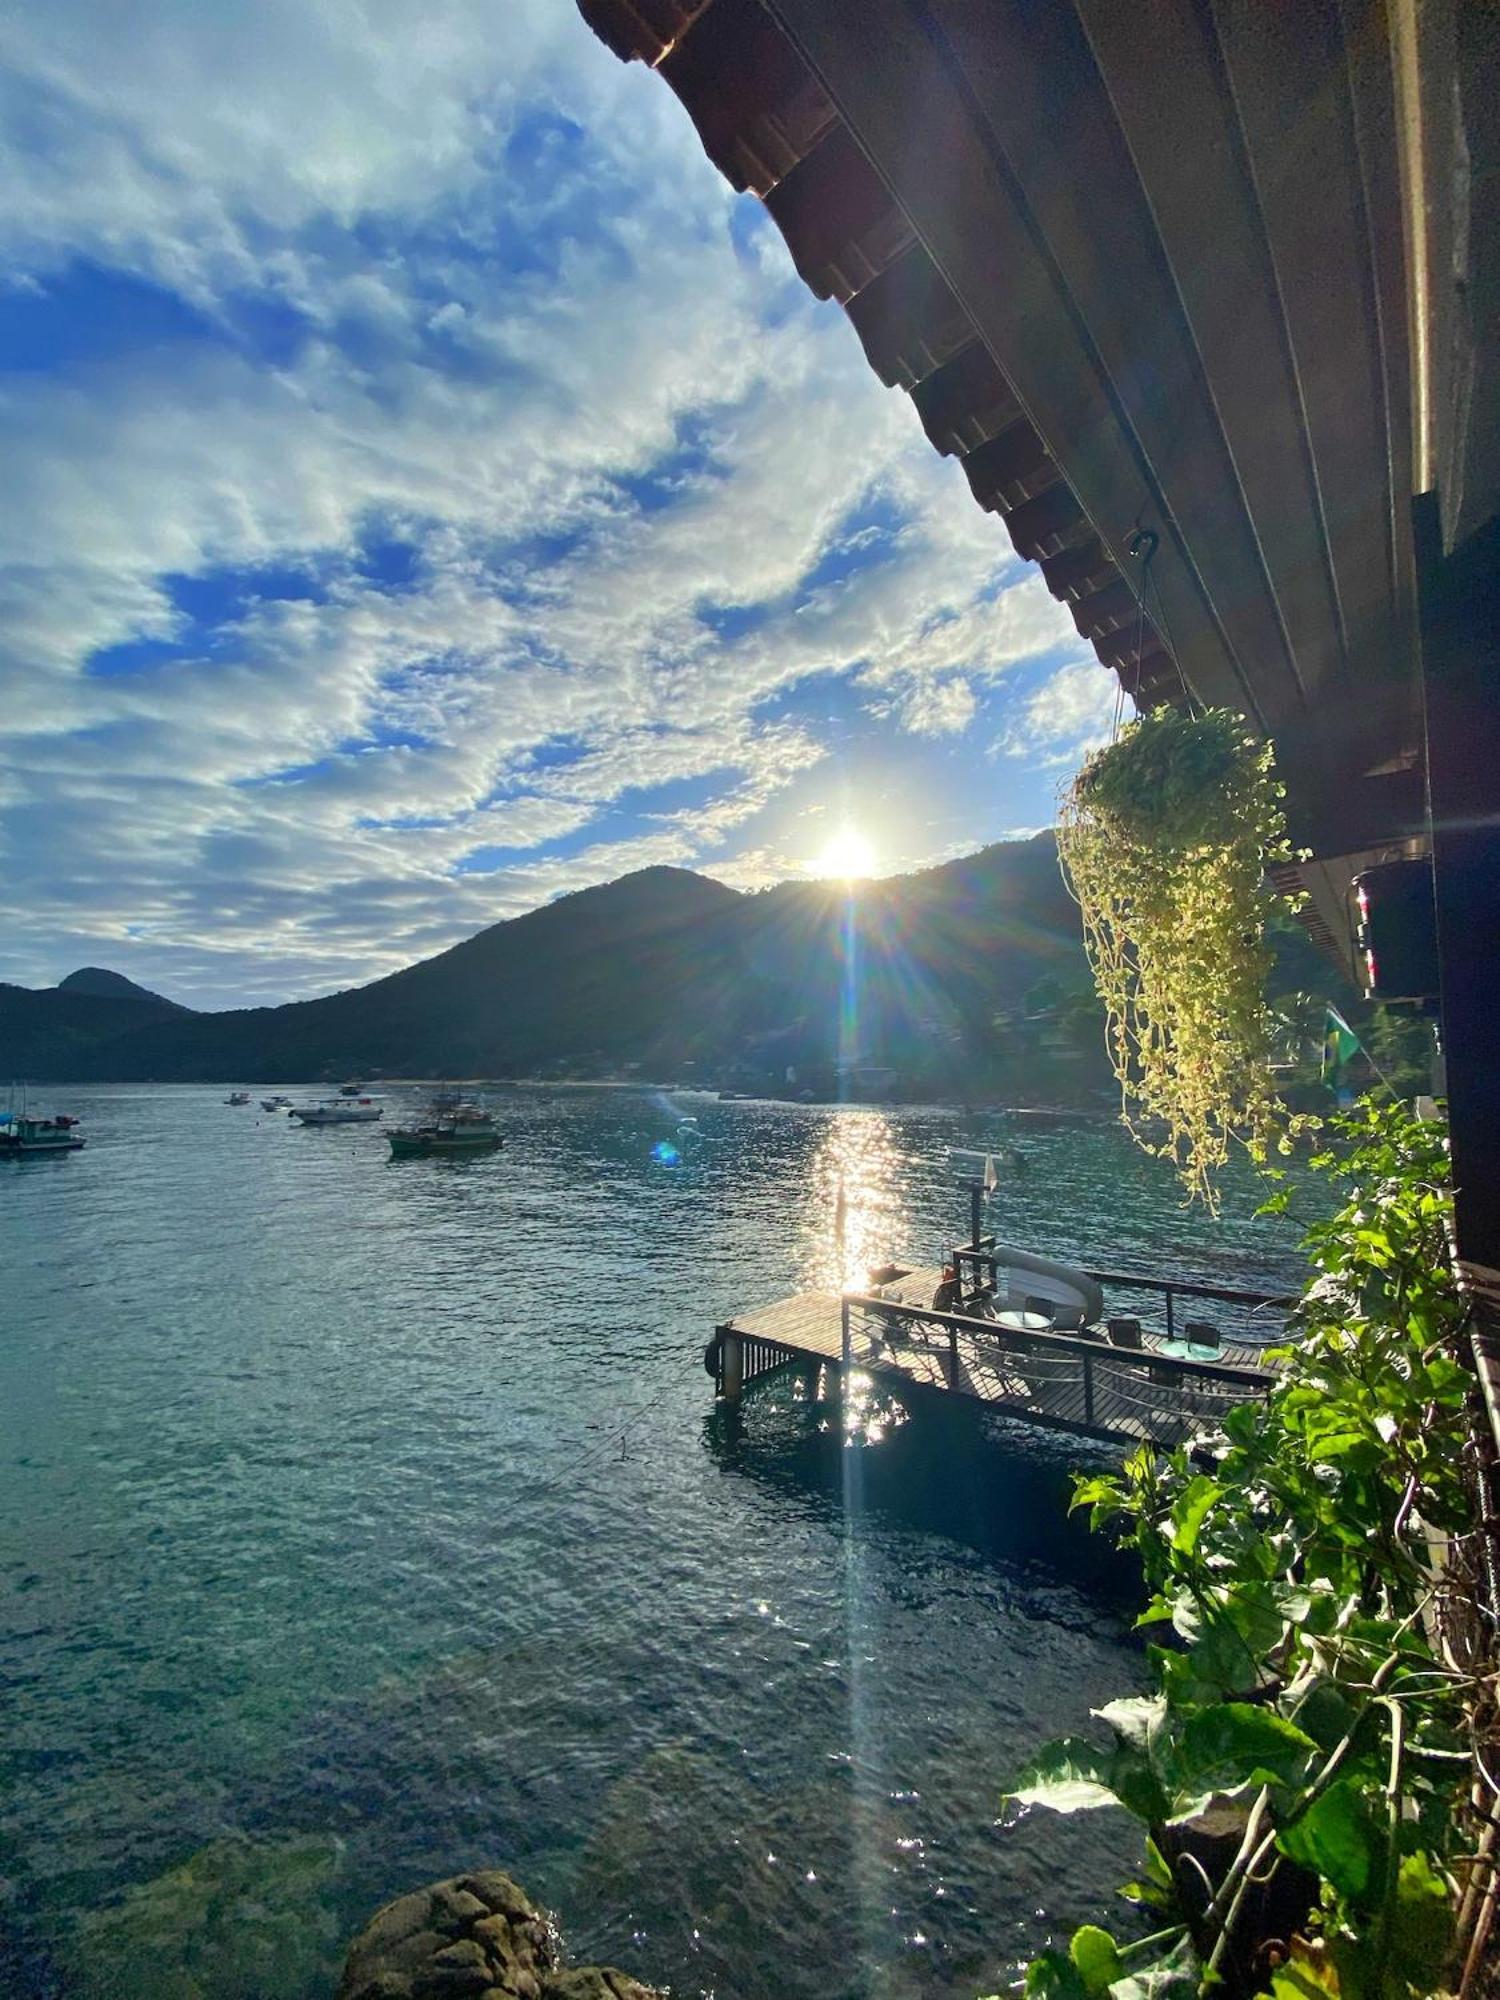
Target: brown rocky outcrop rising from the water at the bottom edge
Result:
[477, 1937]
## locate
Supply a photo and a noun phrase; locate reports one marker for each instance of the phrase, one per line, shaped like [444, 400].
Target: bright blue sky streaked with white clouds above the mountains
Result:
[431, 491]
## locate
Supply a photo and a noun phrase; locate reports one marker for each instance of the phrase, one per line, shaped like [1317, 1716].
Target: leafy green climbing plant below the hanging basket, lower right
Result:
[1301, 1709]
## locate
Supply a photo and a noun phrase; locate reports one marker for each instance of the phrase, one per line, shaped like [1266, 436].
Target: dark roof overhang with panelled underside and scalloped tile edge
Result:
[1147, 273]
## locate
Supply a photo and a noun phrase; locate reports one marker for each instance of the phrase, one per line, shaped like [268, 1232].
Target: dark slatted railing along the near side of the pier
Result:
[1067, 1381]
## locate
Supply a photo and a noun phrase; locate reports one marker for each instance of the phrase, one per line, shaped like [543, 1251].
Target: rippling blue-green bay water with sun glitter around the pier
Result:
[367, 1521]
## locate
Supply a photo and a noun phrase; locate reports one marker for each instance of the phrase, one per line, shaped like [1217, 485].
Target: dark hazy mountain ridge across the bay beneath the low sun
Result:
[663, 969]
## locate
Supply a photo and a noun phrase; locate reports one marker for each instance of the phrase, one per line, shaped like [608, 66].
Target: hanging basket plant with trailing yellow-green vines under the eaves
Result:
[1165, 839]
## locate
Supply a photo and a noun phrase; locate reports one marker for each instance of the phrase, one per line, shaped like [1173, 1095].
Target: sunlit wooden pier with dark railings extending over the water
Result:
[1065, 1381]
